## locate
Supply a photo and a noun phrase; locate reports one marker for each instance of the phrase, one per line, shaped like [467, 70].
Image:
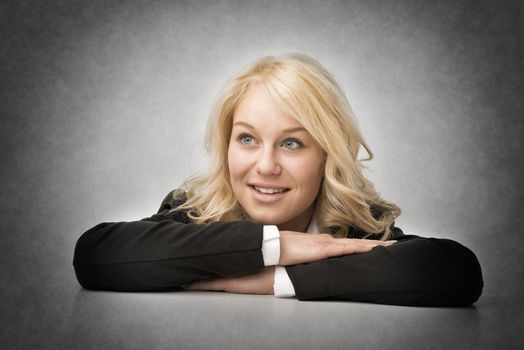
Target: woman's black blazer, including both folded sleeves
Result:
[166, 251]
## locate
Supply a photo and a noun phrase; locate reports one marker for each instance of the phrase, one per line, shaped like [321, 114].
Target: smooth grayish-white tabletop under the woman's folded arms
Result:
[212, 320]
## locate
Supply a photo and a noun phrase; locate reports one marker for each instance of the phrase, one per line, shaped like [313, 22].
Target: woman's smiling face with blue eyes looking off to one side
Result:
[275, 165]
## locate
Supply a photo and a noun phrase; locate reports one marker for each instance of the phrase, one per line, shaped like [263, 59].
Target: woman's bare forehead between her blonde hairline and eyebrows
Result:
[259, 107]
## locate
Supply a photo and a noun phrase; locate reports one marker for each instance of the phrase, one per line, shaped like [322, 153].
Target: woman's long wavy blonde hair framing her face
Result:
[346, 198]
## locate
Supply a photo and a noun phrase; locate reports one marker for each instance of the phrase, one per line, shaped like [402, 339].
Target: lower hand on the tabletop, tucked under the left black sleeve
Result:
[256, 283]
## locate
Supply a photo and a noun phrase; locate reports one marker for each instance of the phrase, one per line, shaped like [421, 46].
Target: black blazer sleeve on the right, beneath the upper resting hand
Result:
[414, 271]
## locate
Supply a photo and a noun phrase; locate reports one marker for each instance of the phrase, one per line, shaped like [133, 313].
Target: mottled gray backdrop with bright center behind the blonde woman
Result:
[104, 105]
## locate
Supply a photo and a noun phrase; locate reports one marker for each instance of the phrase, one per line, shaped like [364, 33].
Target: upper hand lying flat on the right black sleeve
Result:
[299, 248]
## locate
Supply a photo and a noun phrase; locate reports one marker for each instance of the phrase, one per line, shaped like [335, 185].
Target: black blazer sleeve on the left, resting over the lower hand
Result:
[165, 251]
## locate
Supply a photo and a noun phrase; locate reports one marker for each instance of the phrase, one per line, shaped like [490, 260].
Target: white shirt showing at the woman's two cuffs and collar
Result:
[271, 253]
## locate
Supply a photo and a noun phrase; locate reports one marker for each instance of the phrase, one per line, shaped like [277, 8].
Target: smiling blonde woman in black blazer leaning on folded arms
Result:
[284, 148]
